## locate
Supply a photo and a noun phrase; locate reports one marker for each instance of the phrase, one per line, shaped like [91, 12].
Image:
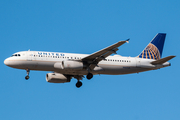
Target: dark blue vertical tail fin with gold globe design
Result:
[154, 48]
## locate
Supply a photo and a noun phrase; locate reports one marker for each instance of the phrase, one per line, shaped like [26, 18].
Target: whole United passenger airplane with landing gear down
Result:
[65, 66]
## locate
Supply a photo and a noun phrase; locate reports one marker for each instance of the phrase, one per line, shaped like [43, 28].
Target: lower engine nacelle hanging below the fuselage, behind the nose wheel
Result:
[57, 78]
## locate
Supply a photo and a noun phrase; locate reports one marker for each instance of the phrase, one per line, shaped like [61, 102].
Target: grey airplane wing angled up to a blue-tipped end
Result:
[93, 59]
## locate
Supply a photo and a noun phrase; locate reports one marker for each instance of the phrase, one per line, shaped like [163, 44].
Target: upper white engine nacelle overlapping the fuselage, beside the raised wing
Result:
[69, 65]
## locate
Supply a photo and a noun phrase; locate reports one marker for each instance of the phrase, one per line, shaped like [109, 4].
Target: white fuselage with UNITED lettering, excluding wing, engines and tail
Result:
[113, 65]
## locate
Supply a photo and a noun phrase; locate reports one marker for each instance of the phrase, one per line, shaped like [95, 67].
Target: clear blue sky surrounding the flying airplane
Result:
[85, 27]
